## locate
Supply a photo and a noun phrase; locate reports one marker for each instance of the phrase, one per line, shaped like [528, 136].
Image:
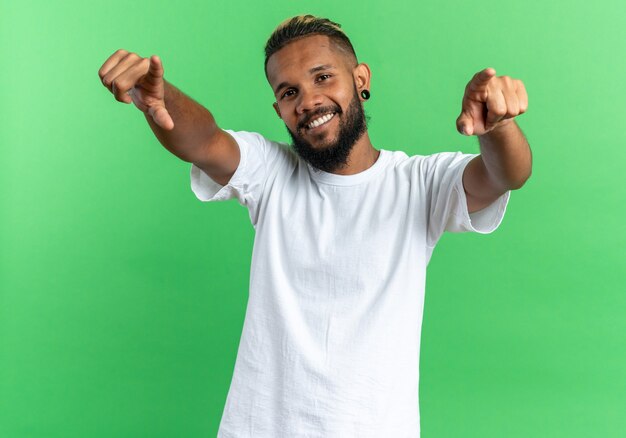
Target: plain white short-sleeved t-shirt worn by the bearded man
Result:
[331, 337]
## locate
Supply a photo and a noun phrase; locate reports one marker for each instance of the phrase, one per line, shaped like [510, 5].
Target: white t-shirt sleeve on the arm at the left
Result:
[247, 183]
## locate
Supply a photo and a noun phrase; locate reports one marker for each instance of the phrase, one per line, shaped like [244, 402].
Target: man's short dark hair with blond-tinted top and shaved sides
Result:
[300, 26]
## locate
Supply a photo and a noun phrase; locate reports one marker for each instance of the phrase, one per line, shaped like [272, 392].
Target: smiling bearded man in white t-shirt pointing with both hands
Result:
[344, 232]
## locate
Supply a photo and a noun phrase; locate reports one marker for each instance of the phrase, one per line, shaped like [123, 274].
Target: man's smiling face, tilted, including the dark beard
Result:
[317, 98]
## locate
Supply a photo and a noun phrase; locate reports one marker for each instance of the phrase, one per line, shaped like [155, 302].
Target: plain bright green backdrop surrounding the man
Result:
[123, 296]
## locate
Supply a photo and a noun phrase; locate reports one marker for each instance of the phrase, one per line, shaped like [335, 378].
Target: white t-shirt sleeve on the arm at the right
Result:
[447, 203]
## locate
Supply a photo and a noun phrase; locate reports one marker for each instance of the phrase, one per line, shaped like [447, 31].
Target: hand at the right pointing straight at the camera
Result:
[490, 102]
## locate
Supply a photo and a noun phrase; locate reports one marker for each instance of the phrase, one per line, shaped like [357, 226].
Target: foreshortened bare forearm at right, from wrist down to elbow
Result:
[506, 155]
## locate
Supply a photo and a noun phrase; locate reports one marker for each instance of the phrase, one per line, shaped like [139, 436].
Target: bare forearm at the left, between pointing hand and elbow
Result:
[194, 126]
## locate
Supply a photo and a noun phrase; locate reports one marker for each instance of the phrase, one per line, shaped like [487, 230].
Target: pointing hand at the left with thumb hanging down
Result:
[132, 78]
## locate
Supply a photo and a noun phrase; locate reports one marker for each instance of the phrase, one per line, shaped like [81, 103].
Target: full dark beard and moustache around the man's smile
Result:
[334, 155]
